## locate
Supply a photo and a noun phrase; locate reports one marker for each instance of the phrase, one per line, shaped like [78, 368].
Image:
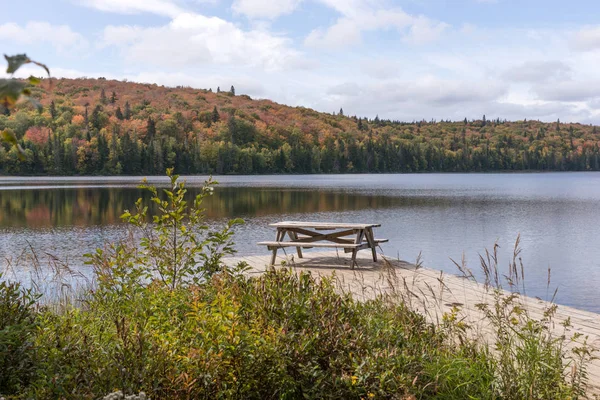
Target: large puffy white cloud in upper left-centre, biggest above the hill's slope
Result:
[192, 39]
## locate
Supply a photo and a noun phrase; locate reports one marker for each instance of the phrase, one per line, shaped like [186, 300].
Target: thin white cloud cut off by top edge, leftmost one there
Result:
[160, 7]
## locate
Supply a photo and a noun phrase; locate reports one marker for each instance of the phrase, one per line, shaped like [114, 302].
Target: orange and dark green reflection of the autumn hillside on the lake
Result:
[57, 207]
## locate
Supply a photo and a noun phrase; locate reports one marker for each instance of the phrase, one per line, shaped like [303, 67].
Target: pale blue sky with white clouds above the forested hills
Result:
[398, 59]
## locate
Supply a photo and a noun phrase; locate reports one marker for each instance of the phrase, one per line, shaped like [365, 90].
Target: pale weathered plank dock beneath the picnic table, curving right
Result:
[432, 293]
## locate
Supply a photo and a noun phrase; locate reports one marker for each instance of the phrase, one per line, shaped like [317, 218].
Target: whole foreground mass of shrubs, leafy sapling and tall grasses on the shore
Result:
[167, 317]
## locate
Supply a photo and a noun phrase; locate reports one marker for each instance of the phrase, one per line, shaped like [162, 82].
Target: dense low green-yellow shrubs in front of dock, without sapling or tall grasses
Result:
[281, 335]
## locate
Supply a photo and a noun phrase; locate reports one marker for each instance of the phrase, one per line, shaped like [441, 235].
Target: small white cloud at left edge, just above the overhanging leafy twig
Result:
[60, 36]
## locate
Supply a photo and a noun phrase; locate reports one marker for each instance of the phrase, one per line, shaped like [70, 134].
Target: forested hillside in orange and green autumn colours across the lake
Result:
[98, 126]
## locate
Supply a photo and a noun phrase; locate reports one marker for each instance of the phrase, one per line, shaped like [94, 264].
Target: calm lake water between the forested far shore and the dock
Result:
[439, 215]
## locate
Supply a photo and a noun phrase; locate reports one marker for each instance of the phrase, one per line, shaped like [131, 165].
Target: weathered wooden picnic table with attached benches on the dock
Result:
[306, 235]
